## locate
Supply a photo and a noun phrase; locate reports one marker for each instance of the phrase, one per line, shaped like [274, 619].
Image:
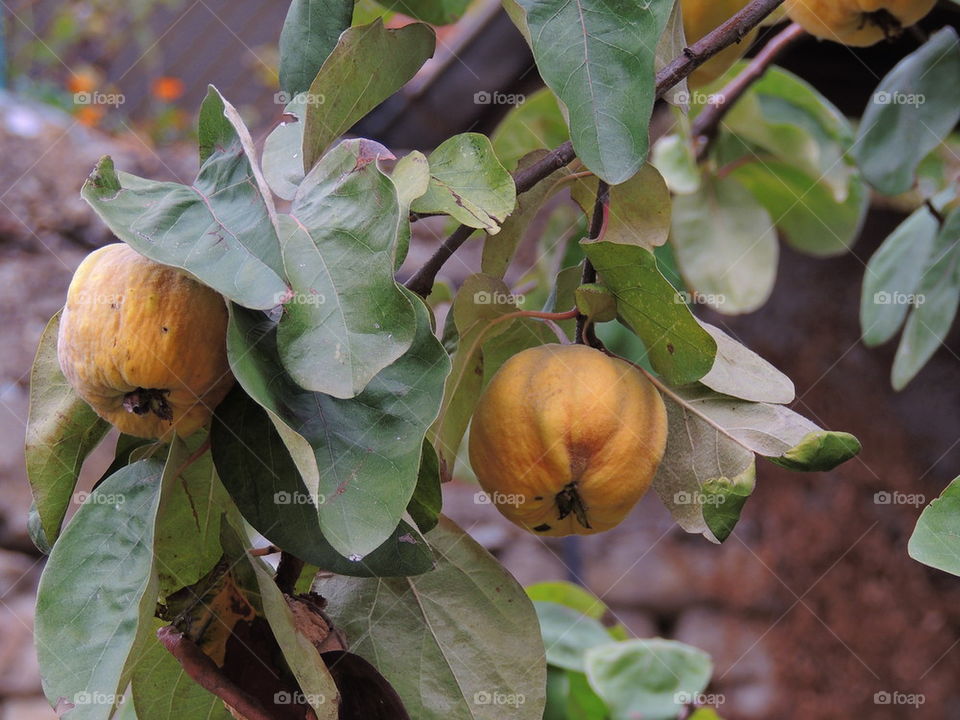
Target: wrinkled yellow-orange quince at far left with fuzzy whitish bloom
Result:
[144, 344]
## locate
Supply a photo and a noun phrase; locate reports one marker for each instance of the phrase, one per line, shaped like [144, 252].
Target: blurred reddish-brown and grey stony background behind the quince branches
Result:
[809, 610]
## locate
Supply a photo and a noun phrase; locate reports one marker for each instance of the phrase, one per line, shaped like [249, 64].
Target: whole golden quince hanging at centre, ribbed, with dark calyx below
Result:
[565, 439]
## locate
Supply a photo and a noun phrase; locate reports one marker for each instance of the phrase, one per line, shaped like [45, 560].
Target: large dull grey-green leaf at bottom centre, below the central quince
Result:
[478, 649]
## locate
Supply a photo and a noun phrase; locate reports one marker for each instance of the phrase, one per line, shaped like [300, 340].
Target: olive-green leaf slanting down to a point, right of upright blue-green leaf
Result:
[368, 64]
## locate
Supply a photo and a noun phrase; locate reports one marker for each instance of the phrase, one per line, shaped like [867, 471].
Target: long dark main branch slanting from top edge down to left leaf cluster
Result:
[732, 31]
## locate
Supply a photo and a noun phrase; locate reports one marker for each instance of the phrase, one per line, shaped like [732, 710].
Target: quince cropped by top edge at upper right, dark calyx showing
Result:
[859, 23]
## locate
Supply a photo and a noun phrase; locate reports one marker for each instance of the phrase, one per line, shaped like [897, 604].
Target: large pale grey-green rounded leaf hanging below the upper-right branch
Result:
[726, 246]
